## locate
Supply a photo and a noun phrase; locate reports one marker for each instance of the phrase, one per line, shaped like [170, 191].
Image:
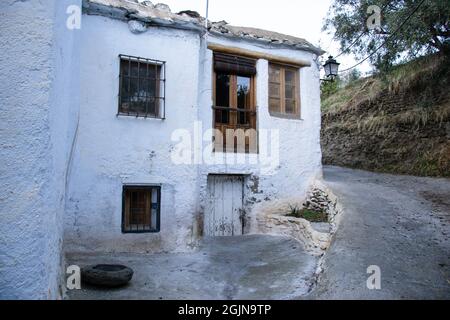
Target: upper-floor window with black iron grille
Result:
[142, 87]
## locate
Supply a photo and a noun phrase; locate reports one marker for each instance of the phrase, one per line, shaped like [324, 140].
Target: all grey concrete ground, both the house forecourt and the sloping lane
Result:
[399, 223]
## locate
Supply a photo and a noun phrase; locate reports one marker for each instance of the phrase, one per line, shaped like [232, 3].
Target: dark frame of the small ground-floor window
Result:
[126, 213]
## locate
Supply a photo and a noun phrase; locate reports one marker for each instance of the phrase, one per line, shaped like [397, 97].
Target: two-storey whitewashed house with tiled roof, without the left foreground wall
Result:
[145, 175]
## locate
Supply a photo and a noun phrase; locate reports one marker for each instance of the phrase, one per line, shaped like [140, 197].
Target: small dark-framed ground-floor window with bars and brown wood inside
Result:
[141, 209]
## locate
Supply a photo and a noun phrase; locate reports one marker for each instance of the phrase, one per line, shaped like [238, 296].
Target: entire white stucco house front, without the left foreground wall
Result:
[112, 151]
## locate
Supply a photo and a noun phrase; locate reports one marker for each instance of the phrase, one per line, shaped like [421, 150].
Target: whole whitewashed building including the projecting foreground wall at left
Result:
[115, 132]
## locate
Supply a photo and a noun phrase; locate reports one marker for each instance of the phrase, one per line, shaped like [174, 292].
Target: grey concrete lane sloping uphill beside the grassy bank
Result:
[401, 224]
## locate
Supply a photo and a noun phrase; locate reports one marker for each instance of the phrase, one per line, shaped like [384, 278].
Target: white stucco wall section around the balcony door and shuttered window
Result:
[299, 139]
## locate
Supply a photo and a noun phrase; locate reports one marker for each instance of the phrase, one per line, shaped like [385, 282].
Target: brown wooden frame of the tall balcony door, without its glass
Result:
[233, 116]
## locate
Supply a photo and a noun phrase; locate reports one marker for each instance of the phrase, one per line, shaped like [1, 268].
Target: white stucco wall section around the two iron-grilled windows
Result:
[112, 151]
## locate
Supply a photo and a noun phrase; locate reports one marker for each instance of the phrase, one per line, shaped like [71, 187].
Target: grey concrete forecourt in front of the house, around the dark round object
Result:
[246, 267]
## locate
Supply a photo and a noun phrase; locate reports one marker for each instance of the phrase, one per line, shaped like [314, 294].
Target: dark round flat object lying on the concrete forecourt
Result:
[106, 275]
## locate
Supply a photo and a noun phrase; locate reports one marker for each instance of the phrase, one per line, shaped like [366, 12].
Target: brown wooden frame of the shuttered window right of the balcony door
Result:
[282, 113]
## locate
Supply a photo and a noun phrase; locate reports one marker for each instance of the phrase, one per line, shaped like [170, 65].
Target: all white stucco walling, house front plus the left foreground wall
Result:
[65, 154]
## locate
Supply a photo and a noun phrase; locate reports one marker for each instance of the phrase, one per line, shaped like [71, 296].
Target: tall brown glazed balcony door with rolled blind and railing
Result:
[234, 104]
